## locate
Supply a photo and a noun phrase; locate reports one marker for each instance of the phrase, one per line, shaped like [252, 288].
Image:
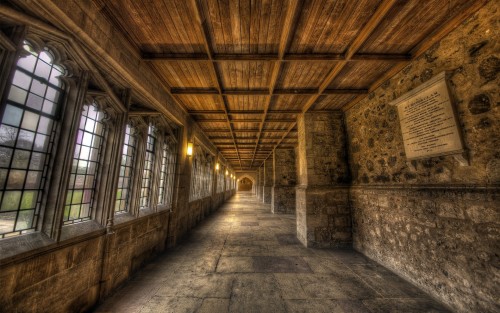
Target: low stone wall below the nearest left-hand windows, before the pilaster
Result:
[71, 276]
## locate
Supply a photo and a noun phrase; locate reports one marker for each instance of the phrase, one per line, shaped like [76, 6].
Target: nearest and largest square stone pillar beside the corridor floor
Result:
[323, 213]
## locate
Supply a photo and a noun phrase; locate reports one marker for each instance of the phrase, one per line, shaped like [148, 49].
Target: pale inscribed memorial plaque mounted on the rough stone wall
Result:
[428, 122]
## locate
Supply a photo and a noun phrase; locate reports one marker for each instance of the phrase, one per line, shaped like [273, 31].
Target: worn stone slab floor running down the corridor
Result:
[245, 259]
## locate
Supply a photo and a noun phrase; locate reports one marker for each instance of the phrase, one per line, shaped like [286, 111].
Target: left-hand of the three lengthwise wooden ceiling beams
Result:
[196, 5]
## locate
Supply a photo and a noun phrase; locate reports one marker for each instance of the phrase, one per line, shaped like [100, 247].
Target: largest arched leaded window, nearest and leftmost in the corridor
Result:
[27, 135]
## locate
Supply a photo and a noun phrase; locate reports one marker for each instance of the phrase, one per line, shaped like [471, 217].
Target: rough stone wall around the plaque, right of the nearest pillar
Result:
[433, 221]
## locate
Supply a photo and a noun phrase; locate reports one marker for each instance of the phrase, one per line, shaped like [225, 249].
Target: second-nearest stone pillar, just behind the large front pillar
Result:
[285, 179]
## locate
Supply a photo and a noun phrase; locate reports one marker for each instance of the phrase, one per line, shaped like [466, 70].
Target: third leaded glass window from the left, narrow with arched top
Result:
[126, 170]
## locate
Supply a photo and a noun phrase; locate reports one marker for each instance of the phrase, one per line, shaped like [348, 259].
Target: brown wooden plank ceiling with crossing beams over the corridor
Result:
[244, 69]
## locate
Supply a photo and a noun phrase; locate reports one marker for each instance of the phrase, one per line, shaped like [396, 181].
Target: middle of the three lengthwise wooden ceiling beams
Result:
[290, 23]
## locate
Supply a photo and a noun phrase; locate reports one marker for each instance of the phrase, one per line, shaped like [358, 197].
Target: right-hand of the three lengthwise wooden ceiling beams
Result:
[365, 32]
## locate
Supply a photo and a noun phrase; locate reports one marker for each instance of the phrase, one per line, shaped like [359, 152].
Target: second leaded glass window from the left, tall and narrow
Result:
[81, 188]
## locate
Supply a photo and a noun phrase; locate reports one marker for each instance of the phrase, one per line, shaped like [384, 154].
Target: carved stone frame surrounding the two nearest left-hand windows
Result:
[50, 226]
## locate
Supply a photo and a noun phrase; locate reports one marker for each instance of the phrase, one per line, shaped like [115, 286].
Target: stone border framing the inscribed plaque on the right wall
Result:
[461, 154]
